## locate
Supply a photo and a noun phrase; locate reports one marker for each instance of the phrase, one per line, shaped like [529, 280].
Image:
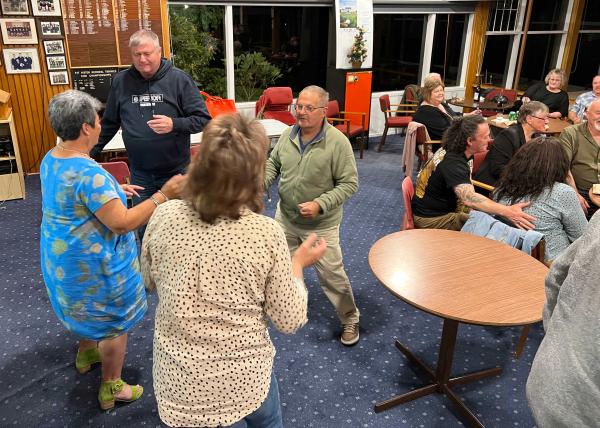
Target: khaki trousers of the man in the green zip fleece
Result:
[330, 268]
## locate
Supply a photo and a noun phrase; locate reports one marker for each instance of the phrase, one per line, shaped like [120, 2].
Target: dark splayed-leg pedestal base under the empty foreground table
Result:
[441, 382]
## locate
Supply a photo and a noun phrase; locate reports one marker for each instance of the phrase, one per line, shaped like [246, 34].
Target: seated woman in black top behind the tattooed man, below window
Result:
[433, 112]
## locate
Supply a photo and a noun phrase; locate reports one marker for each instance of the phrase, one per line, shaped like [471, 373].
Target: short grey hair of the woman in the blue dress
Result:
[69, 110]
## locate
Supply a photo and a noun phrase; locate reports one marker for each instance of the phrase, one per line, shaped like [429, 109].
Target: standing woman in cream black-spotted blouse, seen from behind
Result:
[222, 270]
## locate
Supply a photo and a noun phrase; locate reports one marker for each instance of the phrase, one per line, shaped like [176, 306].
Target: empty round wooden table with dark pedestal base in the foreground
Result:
[461, 278]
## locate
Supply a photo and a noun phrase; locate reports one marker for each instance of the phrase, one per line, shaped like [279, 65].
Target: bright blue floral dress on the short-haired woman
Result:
[92, 275]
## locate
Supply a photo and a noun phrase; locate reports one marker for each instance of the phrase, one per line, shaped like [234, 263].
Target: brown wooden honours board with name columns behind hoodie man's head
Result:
[98, 31]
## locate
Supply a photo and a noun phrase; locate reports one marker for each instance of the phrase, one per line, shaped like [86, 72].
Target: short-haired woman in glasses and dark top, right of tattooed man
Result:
[532, 119]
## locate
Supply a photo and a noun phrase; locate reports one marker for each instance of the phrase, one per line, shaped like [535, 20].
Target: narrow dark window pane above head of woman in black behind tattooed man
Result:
[448, 42]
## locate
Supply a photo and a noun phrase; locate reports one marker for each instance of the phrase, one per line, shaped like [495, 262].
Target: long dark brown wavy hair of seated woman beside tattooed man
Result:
[538, 164]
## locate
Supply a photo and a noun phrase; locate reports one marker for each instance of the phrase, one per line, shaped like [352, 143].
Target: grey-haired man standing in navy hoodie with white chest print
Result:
[157, 106]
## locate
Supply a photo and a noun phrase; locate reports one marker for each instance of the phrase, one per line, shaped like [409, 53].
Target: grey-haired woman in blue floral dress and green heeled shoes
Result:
[88, 250]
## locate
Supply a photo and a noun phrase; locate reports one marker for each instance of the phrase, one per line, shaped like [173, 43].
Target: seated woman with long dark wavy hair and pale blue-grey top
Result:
[537, 173]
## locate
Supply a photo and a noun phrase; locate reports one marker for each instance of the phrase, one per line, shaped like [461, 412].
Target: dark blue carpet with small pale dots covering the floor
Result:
[322, 383]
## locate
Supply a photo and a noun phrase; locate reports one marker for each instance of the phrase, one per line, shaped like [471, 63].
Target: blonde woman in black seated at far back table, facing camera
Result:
[550, 93]
